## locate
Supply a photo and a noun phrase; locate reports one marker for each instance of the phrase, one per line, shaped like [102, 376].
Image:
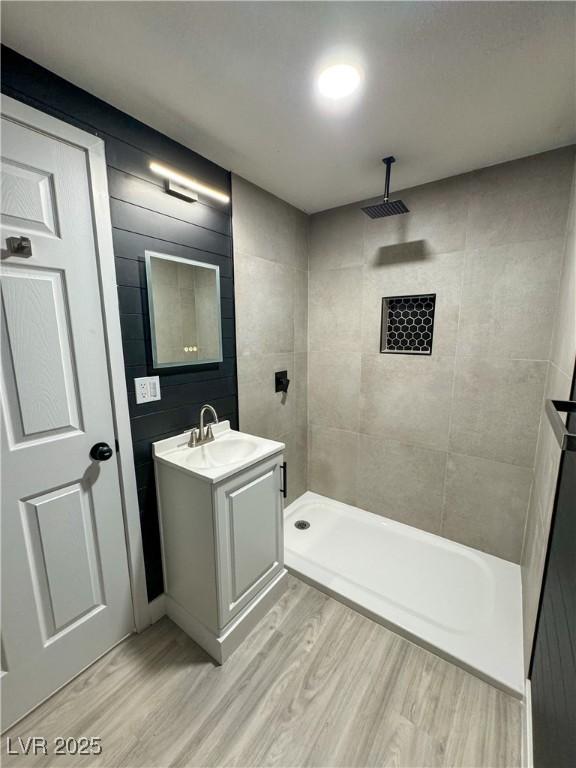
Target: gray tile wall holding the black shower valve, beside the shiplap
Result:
[270, 241]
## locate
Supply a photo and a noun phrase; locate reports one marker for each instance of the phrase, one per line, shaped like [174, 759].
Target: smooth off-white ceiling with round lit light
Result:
[449, 87]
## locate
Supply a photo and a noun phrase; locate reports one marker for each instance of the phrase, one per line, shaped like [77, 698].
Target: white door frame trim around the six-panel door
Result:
[96, 162]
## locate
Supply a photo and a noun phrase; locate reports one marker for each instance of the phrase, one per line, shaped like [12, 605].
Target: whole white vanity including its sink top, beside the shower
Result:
[222, 536]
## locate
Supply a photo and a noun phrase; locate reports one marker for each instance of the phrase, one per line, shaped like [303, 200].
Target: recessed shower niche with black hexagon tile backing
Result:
[408, 324]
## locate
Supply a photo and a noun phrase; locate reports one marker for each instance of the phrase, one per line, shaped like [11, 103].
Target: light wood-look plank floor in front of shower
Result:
[315, 684]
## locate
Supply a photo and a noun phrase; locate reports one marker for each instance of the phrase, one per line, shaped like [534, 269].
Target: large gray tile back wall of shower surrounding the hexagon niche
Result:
[446, 443]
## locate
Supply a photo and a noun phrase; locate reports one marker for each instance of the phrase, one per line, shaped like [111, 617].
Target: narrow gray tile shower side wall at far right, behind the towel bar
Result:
[559, 374]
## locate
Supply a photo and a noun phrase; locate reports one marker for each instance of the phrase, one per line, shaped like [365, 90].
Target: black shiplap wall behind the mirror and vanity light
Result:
[144, 218]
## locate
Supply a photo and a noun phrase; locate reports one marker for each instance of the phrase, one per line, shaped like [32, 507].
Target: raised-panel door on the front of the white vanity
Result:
[249, 535]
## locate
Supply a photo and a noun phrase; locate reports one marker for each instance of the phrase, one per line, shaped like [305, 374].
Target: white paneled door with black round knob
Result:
[65, 583]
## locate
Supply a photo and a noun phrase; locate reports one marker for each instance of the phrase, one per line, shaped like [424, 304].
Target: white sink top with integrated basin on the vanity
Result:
[229, 453]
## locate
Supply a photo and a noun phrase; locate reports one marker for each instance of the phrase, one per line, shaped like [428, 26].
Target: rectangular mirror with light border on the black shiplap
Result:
[184, 306]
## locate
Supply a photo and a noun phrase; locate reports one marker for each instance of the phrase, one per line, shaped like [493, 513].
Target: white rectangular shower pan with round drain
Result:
[458, 602]
